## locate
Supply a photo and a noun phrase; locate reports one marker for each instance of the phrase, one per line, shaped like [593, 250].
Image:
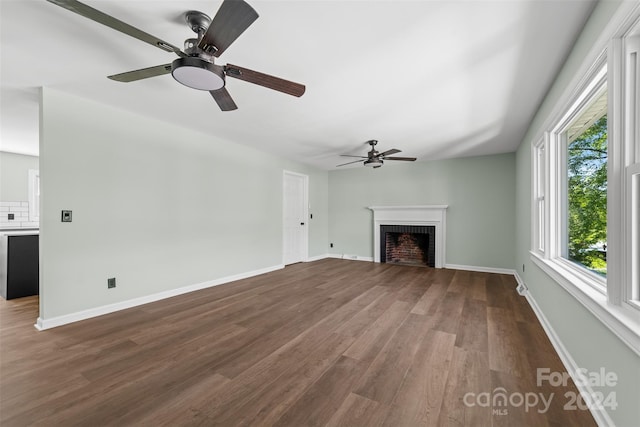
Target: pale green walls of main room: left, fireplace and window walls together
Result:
[158, 207]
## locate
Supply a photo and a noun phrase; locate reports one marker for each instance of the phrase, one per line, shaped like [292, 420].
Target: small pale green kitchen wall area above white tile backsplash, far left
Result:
[14, 176]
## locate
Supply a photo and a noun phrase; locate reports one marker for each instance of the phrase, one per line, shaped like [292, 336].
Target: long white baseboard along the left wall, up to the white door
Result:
[53, 322]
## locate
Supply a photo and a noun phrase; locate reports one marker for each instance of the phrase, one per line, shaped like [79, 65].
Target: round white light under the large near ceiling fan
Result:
[197, 73]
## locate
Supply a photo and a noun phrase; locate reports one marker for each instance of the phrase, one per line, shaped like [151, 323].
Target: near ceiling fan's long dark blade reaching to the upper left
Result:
[111, 22]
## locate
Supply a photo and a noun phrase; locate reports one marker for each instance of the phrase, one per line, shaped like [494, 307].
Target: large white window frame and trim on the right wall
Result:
[617, 304]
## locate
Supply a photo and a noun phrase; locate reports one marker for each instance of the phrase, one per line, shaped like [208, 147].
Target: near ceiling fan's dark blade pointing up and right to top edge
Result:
[233, 17]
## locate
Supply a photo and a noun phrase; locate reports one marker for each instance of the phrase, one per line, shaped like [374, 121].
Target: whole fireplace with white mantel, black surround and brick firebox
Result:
[426, 225]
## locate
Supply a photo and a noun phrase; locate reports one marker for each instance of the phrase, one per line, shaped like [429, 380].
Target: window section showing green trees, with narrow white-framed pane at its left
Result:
[570, 171]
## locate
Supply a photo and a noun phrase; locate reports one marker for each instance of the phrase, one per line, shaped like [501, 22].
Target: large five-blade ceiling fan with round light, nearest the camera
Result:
[195, 67]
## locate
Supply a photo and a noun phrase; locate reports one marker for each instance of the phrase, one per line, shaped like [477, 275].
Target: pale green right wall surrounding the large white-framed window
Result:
[591, 344]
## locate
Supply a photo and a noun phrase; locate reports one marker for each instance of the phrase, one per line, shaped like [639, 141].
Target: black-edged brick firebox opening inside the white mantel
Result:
[408, 244]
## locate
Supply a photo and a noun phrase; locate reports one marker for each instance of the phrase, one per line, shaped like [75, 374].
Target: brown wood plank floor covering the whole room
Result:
[332, 342]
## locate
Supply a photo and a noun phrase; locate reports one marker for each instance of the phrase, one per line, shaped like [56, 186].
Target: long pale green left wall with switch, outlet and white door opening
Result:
[156, 206]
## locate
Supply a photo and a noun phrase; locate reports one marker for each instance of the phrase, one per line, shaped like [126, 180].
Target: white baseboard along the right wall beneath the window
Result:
[601, 416]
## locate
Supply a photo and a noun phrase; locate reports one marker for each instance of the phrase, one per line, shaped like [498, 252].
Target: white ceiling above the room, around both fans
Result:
[435, 79]
